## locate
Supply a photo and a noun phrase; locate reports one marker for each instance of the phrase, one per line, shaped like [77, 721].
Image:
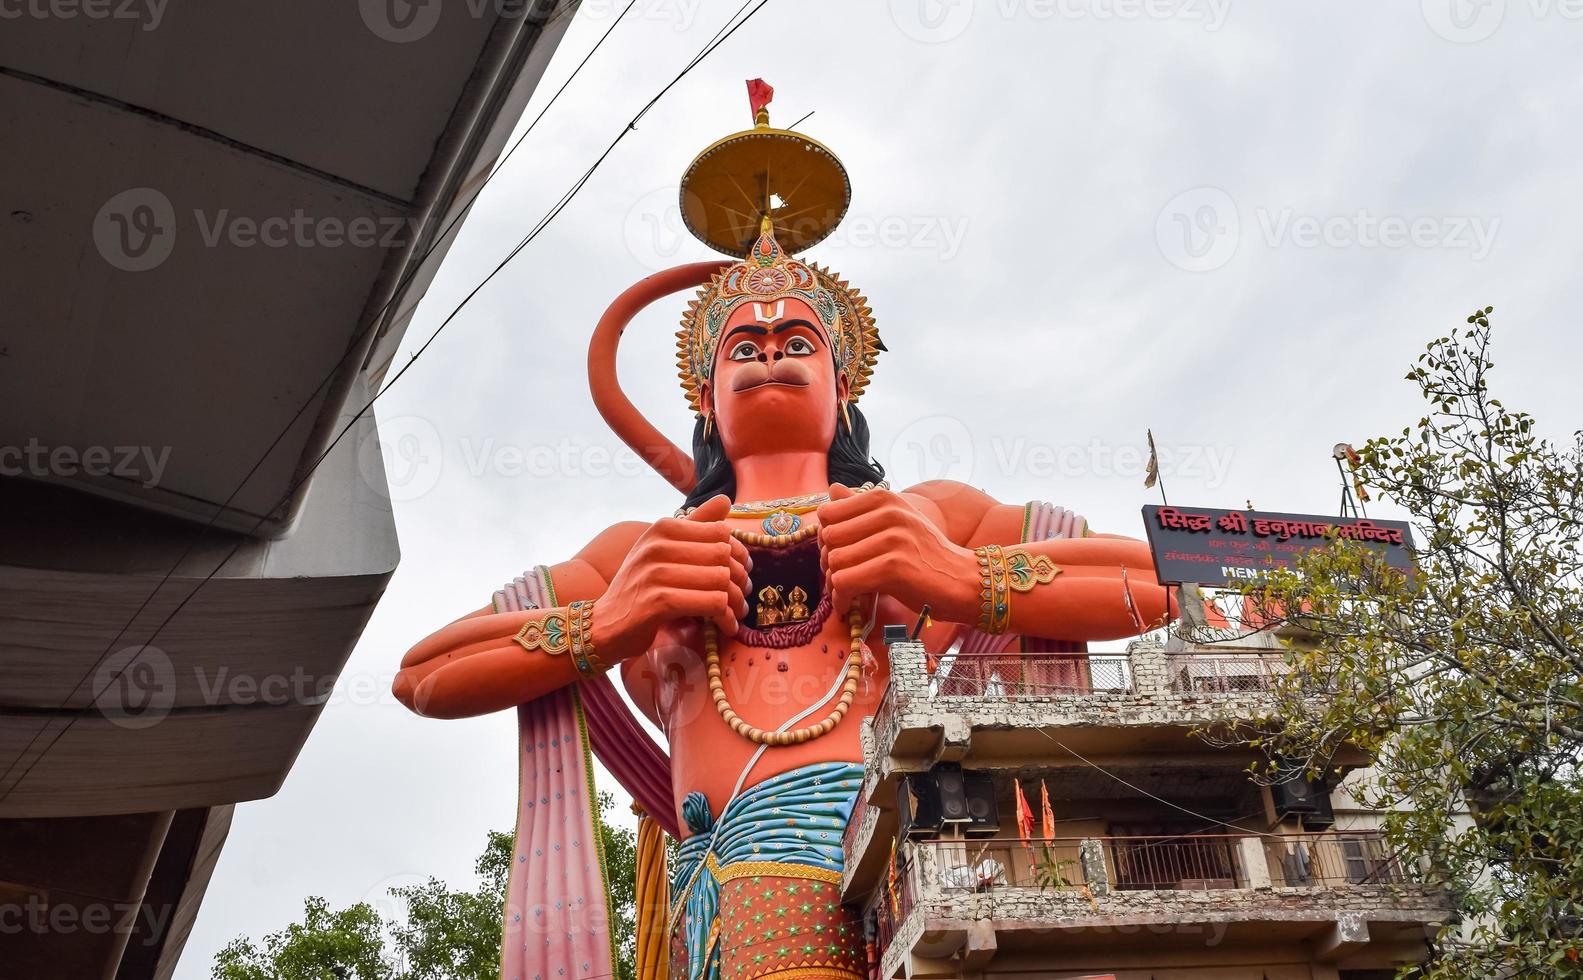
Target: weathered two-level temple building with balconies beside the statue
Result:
[1156, 856]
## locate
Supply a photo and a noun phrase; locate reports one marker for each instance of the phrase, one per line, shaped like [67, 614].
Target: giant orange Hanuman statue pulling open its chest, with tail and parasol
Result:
[743, 628]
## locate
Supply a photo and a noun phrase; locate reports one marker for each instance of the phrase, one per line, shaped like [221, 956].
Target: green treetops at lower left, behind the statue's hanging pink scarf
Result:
[446, 935]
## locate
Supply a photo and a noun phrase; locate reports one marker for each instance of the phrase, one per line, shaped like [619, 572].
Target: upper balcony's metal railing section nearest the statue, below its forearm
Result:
[1015, 677]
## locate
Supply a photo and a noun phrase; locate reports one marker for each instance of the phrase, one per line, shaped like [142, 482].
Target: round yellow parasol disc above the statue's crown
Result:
[738, 181]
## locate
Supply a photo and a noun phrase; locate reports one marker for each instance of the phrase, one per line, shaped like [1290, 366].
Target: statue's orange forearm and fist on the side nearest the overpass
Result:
[637, 575]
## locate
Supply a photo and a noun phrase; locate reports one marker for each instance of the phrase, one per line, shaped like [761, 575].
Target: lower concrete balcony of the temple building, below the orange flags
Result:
[1289, 906]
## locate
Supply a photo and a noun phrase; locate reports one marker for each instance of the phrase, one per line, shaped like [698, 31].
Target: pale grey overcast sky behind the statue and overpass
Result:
[1076, 219]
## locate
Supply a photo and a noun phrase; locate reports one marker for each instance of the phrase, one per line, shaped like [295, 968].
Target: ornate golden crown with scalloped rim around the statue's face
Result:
[765, 276]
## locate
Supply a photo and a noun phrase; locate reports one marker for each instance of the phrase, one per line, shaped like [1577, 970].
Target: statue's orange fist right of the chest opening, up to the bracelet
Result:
[879, 544]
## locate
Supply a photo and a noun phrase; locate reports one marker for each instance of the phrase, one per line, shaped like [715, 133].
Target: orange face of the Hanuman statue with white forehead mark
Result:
[775, 384]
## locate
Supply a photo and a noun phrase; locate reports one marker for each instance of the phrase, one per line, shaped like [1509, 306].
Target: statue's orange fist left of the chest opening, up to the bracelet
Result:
[680, 568]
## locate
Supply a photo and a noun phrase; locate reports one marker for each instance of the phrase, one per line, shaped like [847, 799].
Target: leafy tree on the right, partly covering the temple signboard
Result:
[1465, 678]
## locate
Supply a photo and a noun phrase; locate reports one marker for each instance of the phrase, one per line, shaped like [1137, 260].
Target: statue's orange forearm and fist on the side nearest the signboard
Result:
[919, 547]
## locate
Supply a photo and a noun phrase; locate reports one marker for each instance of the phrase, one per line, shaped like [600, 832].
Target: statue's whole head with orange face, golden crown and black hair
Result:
[775, 354]
